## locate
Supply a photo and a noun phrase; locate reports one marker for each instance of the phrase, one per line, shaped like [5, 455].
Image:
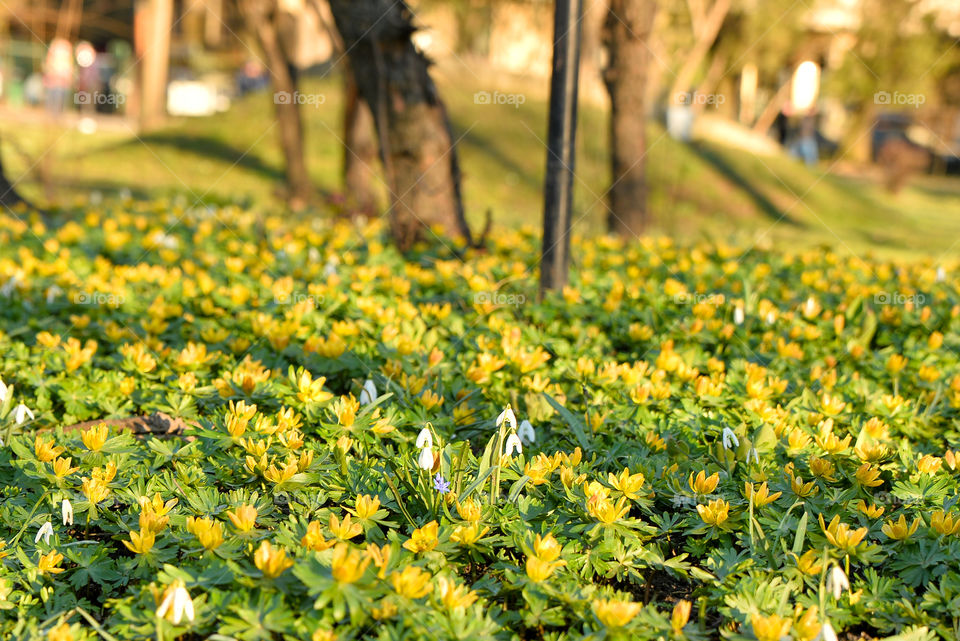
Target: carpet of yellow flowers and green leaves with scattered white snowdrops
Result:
[690, 442]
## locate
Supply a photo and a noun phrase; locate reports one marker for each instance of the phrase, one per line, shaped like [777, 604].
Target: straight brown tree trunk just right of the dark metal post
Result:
[626, 33]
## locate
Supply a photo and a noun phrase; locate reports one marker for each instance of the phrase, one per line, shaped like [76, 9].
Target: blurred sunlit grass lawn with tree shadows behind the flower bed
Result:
[696, 190]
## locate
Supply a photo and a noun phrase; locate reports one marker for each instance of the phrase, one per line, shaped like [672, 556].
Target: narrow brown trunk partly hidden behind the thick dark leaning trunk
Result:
[359, 150]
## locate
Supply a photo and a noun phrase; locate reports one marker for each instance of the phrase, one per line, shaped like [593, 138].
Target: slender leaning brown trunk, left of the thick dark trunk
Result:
[261, 20]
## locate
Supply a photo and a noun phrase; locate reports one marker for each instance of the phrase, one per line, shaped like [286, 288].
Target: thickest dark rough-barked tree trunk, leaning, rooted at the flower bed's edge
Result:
[415, 138]
